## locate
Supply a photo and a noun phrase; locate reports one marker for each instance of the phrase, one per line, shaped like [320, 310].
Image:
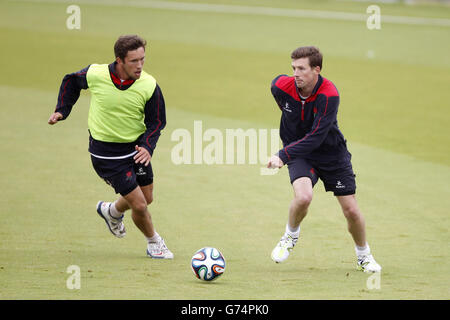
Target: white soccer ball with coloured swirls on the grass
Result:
[208, 264]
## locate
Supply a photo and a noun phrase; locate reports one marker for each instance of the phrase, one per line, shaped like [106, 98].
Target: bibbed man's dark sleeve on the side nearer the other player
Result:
[155, 120]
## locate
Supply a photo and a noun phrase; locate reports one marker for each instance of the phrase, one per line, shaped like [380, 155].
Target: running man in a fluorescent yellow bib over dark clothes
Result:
[126, 116]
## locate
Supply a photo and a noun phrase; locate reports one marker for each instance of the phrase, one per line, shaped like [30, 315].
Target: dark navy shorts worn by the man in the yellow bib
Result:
[124, 175]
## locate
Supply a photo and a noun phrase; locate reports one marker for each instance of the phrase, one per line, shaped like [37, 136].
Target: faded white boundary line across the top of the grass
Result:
[262, 11]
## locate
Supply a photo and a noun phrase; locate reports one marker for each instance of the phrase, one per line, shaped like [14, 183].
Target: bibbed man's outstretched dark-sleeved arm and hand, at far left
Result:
[69, 92]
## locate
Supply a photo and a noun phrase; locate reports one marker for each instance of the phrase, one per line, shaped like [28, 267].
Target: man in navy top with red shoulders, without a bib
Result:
[314, 148]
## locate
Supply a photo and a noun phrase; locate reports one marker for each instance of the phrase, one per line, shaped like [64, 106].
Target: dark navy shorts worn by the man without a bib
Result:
[337, 175]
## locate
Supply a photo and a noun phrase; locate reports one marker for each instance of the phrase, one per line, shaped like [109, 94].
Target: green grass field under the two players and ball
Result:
[217, 67]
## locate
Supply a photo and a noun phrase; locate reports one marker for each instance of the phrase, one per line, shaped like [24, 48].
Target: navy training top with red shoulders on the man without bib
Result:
[308, 127]
